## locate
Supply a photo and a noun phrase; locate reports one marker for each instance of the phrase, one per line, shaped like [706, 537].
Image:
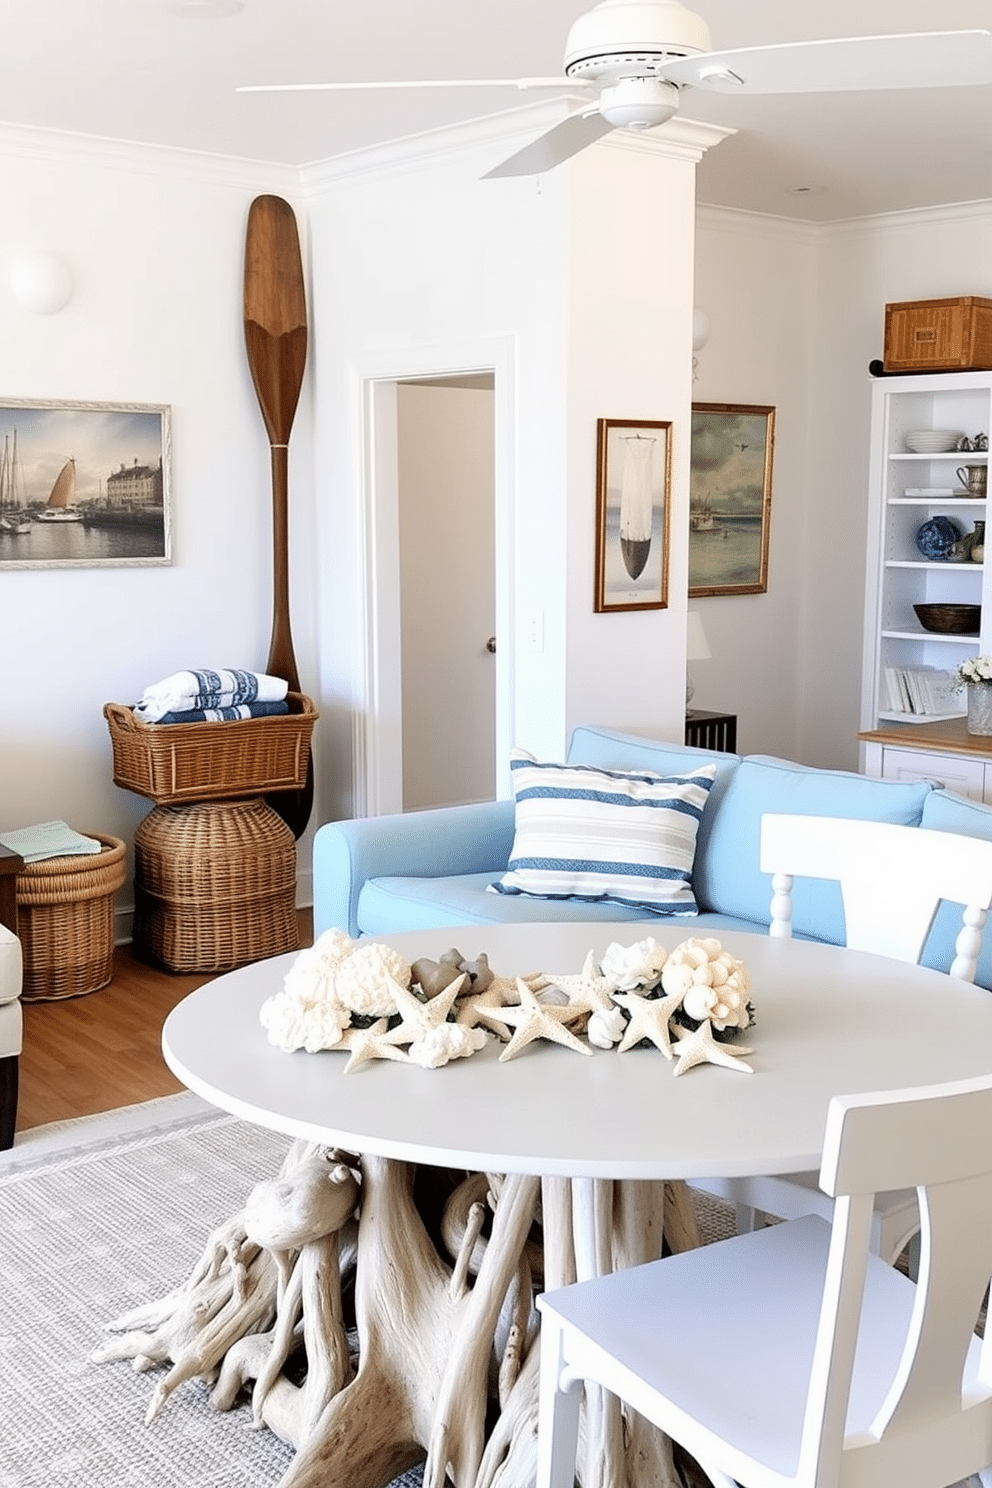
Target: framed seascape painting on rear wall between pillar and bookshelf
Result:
[729, 498]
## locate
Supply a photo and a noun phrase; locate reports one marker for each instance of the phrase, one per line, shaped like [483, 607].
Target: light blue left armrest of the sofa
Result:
[414, 844]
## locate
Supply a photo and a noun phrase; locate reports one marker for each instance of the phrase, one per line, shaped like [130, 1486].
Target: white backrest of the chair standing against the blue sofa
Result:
[892, 882]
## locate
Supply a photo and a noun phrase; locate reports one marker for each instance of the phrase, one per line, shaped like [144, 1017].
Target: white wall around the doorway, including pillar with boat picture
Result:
[582, 280]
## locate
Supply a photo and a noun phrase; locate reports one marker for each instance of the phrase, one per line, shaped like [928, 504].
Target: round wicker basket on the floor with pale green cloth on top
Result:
[66, 922]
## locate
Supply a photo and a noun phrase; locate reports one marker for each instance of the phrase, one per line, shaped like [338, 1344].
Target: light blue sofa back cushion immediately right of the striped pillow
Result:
[731, 882]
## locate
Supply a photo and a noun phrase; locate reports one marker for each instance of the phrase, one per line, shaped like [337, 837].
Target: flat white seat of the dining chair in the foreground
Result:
[741, 1371]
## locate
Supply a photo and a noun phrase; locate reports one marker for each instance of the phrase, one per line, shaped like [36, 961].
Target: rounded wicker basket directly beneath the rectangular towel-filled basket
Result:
[215, 886]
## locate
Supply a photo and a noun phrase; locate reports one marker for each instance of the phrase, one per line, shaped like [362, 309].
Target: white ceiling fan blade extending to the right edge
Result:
[862, 63]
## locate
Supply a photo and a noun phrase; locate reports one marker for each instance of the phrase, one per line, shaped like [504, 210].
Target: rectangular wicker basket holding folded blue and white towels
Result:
[178, 763]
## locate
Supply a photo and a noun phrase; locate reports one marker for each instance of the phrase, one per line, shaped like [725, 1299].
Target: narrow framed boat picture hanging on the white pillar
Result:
[633, 483]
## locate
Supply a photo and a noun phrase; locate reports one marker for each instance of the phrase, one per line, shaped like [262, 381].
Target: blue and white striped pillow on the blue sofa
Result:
[627, 837]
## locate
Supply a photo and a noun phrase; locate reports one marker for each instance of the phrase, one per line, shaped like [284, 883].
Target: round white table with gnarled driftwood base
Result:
[557, 1138]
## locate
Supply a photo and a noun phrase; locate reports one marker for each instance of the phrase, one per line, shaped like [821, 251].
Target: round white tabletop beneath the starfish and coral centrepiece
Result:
[829, 1022]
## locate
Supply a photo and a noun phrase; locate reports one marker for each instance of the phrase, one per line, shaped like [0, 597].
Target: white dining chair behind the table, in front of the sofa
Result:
[893, 880]
